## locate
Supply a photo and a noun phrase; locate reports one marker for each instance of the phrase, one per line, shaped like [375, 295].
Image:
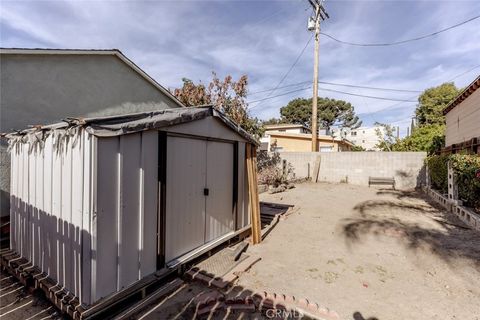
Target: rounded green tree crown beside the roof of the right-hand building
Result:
[432, 102]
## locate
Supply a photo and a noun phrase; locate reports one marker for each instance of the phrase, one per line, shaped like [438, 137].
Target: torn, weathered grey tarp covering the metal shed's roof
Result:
[130, 123]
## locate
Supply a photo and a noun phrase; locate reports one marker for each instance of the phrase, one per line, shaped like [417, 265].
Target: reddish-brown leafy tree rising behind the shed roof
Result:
[227, 95]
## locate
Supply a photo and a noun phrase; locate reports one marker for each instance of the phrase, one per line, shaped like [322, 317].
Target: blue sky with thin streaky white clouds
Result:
[175, 39]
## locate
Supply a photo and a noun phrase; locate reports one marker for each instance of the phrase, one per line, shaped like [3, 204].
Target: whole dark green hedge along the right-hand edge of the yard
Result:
[467, 175]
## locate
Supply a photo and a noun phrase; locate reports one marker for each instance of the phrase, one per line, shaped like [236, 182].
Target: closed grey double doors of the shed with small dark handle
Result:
[193, 215]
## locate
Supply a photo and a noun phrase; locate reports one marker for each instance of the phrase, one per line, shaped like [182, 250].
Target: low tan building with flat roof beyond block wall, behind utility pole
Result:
[302, 142]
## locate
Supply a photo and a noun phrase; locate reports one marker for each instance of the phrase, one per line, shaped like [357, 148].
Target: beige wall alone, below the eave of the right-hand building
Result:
[463, 121]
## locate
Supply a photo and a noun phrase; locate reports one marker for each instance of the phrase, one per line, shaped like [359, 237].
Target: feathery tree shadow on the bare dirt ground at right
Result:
[418, 224]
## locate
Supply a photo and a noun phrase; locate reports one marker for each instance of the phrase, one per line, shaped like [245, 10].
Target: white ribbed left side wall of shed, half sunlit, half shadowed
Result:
[47, 211]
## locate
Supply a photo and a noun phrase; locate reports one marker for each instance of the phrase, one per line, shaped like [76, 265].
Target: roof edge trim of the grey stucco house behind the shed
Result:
[99, 52]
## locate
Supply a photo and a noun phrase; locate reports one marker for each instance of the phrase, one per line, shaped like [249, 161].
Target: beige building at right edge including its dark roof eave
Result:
[462, 117]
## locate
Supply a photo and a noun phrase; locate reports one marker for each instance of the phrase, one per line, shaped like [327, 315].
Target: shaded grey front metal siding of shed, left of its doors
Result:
[126, 166]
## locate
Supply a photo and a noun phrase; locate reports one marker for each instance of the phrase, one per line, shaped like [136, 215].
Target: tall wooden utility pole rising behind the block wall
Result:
[320, 14]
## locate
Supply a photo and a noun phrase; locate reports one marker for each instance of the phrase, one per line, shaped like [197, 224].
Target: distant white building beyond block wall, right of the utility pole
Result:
[365, 137]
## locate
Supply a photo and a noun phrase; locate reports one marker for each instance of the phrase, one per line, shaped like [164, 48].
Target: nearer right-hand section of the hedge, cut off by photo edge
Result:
[467, 175]
